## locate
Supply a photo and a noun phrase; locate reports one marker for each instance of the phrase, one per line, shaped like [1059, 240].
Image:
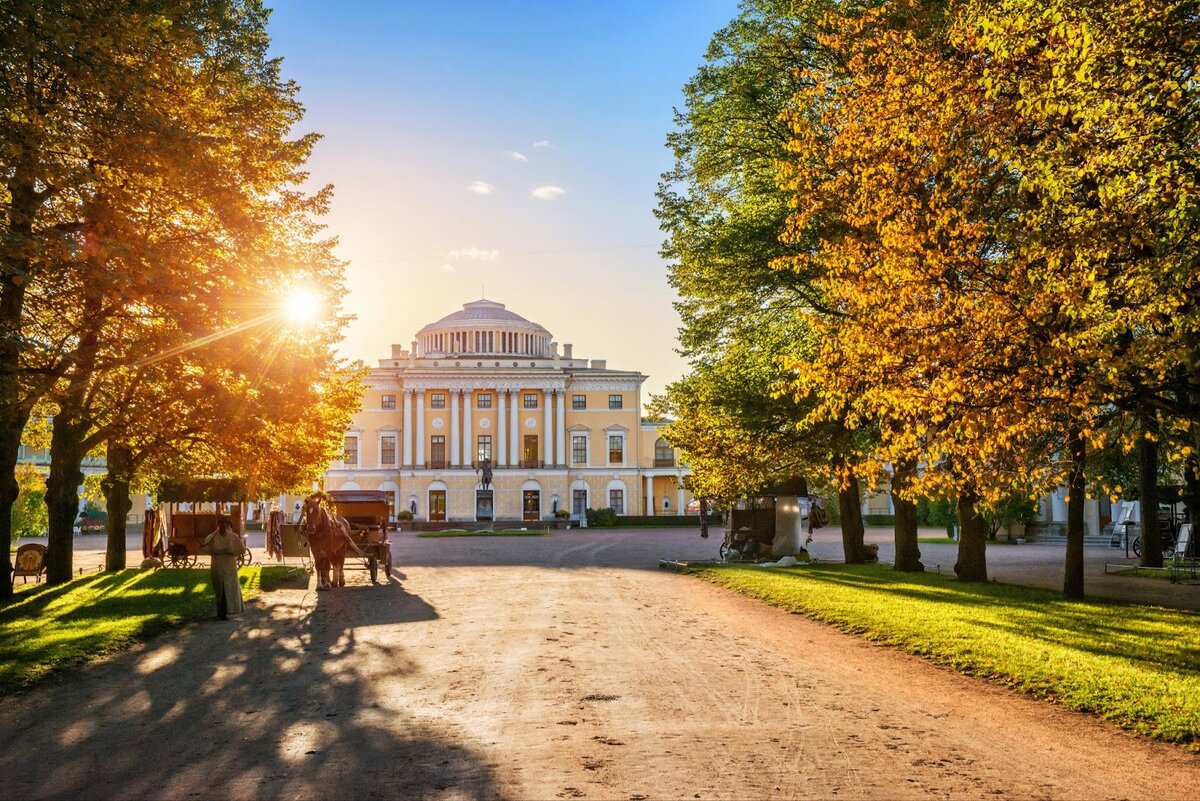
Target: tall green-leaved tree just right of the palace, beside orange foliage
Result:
[724, 212]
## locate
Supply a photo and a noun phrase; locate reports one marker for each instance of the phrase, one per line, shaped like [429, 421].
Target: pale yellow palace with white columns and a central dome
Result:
[487, 387]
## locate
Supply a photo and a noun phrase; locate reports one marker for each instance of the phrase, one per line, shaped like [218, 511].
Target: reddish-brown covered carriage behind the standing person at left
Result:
[191, 514]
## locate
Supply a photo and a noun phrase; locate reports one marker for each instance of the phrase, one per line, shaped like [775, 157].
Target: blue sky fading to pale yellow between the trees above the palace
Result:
[421, 103]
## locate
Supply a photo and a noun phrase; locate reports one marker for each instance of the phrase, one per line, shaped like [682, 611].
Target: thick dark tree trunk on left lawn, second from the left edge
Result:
[63, 492]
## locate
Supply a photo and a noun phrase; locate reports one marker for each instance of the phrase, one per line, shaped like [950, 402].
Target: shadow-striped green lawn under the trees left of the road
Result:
[49, 629]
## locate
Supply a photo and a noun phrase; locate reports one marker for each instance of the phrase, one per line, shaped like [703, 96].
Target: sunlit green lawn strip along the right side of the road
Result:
[1136, 666]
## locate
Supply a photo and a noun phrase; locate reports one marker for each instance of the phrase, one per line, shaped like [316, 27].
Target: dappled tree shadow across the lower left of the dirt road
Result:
[293, 702]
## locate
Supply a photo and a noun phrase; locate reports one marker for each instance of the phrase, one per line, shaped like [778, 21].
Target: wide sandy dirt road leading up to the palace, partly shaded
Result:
[550, 668]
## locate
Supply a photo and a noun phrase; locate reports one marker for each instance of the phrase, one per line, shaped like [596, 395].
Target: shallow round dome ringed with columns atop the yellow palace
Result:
[484, 328]
